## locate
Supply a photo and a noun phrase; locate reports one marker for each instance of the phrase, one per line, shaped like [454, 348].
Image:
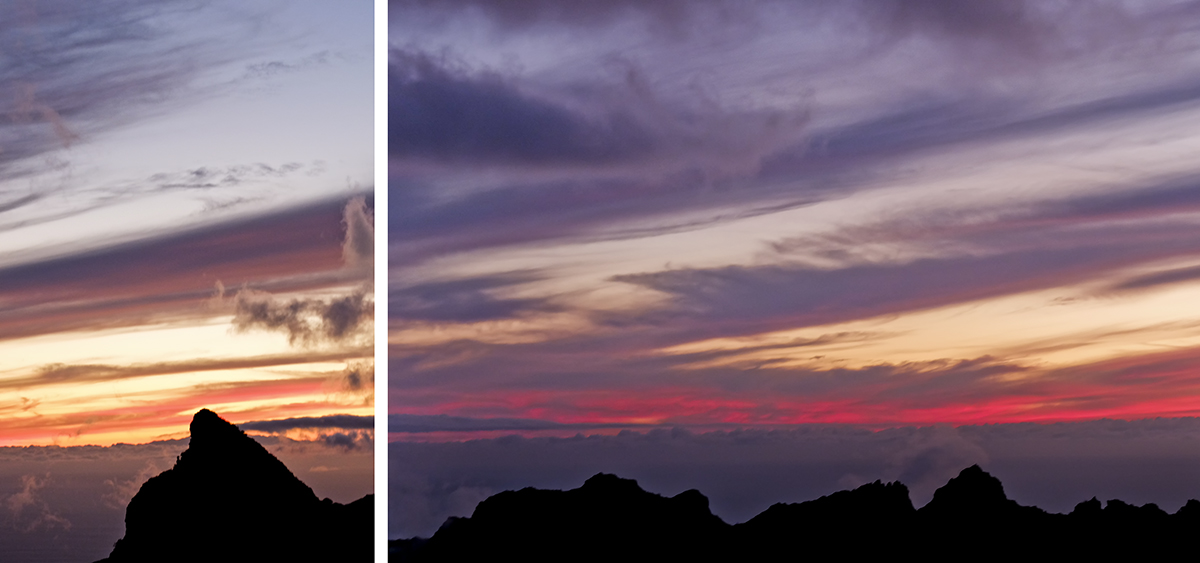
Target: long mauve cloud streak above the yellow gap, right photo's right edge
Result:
[909, 261]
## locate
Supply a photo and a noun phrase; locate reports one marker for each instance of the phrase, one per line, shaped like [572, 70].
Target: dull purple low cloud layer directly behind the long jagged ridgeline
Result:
[746, 471]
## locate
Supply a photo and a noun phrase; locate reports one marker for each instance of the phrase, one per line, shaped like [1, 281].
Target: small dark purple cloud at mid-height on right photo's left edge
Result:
[464, 301]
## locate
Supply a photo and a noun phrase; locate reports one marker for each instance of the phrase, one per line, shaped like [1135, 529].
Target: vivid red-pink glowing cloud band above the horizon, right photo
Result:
[1133, 387]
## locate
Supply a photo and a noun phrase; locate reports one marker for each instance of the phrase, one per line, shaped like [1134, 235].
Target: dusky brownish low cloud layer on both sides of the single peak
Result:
[46, 489]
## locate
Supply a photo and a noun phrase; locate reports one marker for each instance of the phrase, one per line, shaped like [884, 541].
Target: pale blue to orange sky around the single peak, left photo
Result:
[187, 223]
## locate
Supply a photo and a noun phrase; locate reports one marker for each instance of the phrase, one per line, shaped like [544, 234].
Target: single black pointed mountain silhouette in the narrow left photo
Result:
[230, 500]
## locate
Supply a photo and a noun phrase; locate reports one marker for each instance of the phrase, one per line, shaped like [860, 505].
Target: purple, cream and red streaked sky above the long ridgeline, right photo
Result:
[734, 217]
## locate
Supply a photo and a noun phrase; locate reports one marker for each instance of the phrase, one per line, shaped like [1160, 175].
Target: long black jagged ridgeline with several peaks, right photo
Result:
[970, 519]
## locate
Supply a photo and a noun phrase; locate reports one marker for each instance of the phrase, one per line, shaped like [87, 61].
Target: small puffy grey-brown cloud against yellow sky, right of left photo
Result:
[308, 322]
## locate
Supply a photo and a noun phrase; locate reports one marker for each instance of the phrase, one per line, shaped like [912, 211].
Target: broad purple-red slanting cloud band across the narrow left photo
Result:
[166, 277]
